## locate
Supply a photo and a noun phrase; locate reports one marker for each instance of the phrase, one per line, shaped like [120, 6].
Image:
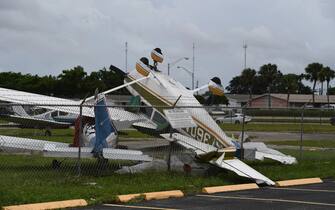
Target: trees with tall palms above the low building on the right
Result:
[269, 79]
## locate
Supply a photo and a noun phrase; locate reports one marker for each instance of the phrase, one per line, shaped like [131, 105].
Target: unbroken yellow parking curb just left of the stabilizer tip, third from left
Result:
[227, 188]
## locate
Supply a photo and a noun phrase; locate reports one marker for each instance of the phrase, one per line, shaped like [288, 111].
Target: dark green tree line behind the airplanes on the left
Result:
[71, 83]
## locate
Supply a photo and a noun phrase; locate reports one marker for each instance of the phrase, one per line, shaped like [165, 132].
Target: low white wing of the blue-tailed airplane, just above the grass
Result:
[56, 149]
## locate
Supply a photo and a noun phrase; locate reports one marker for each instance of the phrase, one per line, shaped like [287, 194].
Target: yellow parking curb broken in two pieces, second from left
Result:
[151, 195]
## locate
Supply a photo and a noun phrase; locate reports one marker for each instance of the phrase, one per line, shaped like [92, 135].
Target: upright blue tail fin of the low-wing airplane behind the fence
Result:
[105, 131]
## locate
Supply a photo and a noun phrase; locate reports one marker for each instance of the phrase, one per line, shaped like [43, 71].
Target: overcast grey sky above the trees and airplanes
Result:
[47, 36]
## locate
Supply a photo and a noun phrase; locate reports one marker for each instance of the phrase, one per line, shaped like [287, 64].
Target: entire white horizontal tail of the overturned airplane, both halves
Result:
[217, 157]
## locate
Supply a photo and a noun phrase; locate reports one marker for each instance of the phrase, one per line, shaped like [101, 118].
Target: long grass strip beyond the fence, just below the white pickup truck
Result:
[308, 128]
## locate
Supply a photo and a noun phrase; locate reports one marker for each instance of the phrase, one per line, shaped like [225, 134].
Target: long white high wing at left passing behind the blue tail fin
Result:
[121, 118]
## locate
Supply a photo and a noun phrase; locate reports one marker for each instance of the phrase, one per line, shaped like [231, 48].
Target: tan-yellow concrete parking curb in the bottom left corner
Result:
[48, 205]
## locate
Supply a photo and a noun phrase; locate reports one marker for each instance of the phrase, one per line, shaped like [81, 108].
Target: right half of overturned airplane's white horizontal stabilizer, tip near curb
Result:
[242, 169]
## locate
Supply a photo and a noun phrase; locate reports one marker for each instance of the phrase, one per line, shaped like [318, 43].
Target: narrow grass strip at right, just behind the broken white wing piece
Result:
[306, 143]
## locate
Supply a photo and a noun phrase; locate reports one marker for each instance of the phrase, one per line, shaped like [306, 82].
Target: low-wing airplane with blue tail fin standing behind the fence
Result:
[99, 141]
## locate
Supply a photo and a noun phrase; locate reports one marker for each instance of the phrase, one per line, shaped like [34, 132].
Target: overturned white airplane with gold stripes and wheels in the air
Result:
[207, 140]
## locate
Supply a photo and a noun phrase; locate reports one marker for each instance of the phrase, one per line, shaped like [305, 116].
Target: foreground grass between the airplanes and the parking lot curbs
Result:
[28, 179]
